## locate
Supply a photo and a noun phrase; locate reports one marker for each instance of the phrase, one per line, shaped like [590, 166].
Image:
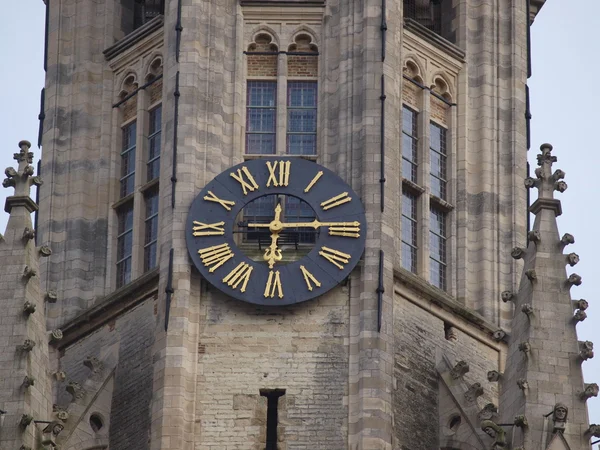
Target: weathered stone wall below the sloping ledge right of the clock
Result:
[420, 347]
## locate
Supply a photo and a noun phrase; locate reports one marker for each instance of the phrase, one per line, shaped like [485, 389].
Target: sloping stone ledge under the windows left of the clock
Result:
[109, 307]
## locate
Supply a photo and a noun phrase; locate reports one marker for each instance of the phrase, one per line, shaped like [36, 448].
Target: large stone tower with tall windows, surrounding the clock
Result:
[420, 106]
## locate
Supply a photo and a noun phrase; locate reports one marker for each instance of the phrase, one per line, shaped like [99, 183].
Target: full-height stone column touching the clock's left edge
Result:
[208, 58]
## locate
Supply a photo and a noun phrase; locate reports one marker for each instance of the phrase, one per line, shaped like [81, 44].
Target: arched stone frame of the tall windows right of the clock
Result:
[436, 91]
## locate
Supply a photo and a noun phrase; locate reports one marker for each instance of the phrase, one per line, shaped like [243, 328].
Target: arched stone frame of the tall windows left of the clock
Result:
[144, 190]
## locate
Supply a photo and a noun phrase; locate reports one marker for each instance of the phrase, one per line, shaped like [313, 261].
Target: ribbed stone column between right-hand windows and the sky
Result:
[493, 34]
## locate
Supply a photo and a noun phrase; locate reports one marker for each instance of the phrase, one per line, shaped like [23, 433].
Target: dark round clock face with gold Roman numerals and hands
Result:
[334, 239]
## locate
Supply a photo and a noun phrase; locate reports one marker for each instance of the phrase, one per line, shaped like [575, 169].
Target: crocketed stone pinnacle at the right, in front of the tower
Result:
[542, 389]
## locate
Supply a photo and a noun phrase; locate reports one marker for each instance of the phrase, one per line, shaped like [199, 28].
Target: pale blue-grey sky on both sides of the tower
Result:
[564, 103]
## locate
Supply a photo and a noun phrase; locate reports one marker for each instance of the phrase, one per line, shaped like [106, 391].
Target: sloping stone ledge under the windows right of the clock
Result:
[445, 301]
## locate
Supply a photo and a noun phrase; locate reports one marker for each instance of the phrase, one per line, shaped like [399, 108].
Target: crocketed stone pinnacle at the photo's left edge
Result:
[26, 395]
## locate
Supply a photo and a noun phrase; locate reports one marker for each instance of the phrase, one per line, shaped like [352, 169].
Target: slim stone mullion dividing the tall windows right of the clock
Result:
[423, 180]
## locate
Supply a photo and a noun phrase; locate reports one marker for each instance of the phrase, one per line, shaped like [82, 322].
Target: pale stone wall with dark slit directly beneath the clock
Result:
[302, 349]
